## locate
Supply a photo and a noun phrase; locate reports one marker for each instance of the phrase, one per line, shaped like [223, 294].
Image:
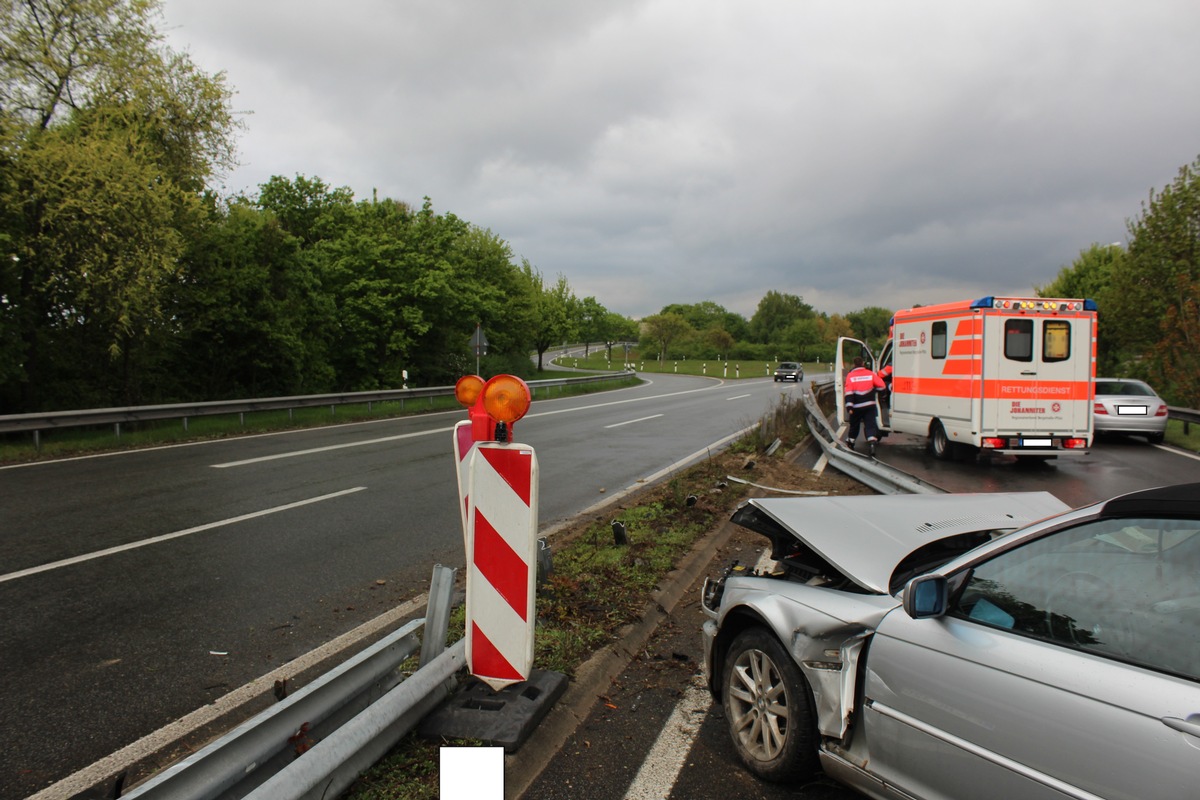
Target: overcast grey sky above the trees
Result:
[880, 153]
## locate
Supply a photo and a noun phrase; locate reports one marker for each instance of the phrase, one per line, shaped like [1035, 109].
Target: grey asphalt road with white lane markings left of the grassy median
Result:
[266, 549]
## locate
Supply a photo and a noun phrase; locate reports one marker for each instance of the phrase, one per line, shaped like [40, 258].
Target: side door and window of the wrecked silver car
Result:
[1066, 667]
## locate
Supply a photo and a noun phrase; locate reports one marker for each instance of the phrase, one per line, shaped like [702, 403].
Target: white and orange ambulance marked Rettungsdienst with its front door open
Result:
[1009, 376]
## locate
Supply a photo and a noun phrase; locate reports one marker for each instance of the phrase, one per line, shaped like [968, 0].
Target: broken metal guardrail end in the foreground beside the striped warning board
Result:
[316, 742]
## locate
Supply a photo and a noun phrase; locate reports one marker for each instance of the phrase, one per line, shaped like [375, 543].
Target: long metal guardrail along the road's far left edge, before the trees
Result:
[55, 420]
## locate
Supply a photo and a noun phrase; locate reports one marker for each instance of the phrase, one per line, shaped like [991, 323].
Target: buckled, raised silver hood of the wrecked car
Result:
[865, 539]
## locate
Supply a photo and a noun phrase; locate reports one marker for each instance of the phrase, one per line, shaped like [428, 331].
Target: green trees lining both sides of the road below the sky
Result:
[125, 280]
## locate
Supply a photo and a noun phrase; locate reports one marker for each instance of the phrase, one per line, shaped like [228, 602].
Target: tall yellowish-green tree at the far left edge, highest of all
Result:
[109, 140]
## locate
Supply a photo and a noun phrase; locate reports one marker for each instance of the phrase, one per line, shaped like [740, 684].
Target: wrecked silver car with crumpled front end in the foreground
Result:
[967, 646]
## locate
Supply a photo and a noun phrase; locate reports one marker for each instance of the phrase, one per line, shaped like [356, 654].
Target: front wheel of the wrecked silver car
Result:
[769, 708]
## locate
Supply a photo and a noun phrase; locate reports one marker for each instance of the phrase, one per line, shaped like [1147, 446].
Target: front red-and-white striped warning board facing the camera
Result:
[502, 557]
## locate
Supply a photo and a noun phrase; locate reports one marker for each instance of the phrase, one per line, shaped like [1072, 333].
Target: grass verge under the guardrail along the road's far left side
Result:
[75, 442]
